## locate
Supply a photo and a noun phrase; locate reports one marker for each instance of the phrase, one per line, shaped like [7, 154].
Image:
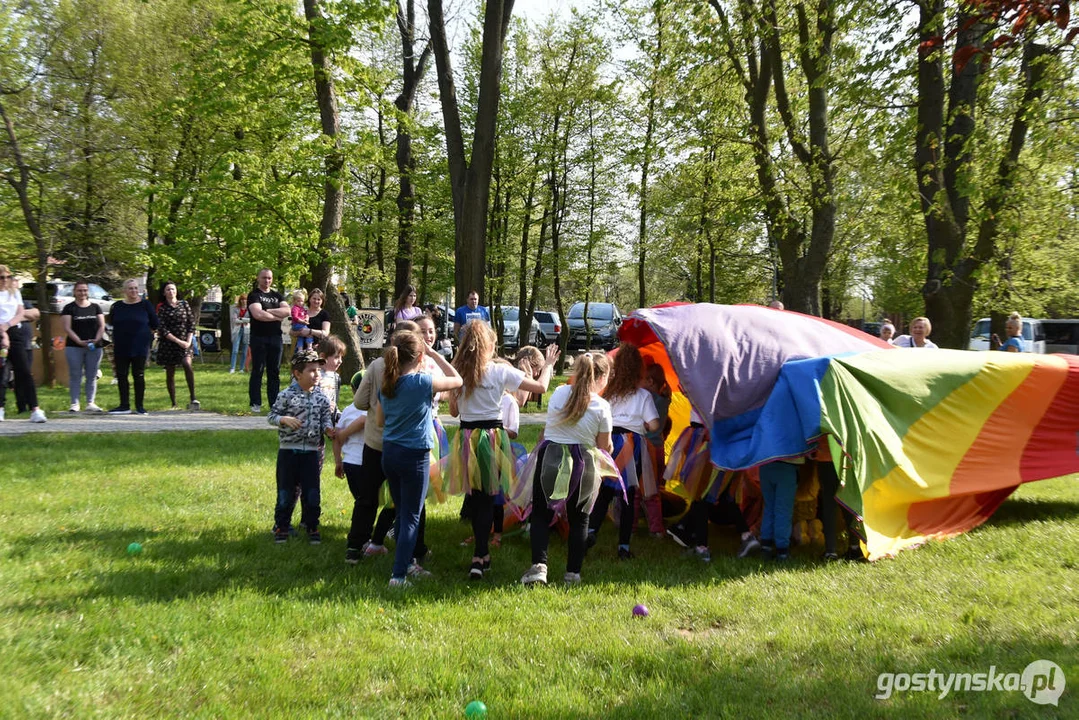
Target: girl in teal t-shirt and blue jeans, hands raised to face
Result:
[404, 411]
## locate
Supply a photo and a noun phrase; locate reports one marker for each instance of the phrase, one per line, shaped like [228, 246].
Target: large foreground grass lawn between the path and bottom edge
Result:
[213, 620]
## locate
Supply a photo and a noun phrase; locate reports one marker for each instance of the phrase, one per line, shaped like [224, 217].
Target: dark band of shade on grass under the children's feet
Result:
[179, 565]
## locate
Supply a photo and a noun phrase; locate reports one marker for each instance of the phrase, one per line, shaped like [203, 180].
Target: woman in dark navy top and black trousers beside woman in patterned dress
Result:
[134, 322]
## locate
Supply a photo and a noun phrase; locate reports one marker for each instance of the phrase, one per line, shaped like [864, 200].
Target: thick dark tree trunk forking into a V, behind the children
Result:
[471, 178]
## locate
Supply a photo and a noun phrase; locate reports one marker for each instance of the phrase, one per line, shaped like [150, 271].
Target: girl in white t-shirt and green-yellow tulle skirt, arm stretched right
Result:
[482, 461]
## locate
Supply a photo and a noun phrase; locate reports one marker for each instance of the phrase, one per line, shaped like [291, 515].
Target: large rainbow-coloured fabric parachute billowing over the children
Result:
[928, 444]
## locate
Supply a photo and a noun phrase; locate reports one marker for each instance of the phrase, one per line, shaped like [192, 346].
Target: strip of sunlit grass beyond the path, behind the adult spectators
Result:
[216, 390]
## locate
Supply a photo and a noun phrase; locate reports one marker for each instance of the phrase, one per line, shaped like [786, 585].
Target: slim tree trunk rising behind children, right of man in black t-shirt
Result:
[334, 189]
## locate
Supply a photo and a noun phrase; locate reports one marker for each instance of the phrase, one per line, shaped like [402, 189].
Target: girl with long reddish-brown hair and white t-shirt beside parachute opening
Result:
[634, 413]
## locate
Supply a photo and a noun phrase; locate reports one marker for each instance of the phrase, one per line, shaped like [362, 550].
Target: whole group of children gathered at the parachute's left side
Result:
[603, 446]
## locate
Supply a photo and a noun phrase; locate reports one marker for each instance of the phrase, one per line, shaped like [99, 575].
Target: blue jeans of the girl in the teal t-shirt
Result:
[407, 477]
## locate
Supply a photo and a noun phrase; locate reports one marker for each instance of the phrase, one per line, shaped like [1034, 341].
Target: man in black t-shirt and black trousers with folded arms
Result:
[267, 309]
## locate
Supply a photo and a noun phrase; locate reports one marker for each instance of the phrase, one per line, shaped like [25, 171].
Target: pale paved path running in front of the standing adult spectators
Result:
[169, 422]
